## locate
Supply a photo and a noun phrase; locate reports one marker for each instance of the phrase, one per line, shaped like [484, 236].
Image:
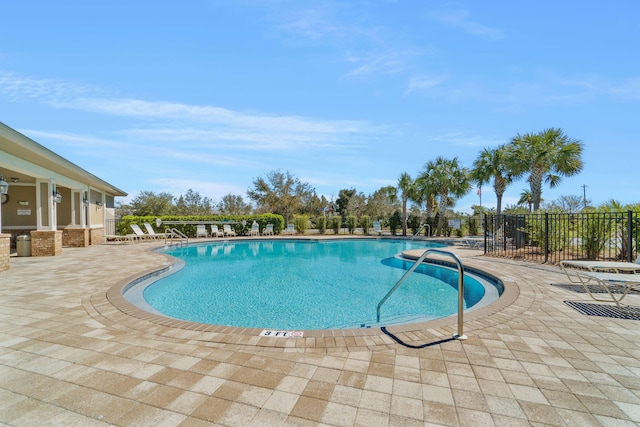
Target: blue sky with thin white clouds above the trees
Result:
[168, 96]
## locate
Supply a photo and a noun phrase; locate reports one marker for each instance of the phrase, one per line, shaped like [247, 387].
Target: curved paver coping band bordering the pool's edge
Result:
[113, 308]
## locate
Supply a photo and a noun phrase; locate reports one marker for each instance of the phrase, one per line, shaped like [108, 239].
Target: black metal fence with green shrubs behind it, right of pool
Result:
[551, 238]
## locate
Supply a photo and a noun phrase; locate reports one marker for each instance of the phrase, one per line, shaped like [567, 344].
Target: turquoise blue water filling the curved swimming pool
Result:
[296, 285]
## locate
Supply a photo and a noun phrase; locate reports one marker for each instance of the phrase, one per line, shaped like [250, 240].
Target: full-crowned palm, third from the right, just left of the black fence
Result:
[448, 180]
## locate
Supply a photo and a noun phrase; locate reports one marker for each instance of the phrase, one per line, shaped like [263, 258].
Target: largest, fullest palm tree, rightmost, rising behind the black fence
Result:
[546, 156]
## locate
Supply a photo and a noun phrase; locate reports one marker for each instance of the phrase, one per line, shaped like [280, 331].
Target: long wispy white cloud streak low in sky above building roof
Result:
[161, 121]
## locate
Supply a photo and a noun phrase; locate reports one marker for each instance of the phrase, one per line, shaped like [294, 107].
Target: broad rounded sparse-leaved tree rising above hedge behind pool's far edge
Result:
[280, 193]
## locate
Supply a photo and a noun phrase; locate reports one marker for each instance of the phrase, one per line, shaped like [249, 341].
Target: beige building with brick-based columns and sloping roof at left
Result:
[50, 199]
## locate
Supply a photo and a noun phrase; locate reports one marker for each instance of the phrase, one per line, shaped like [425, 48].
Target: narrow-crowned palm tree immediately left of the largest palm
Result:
[493, 164]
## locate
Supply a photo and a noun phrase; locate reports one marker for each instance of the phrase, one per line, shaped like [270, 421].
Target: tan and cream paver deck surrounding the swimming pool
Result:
[70, 354]
